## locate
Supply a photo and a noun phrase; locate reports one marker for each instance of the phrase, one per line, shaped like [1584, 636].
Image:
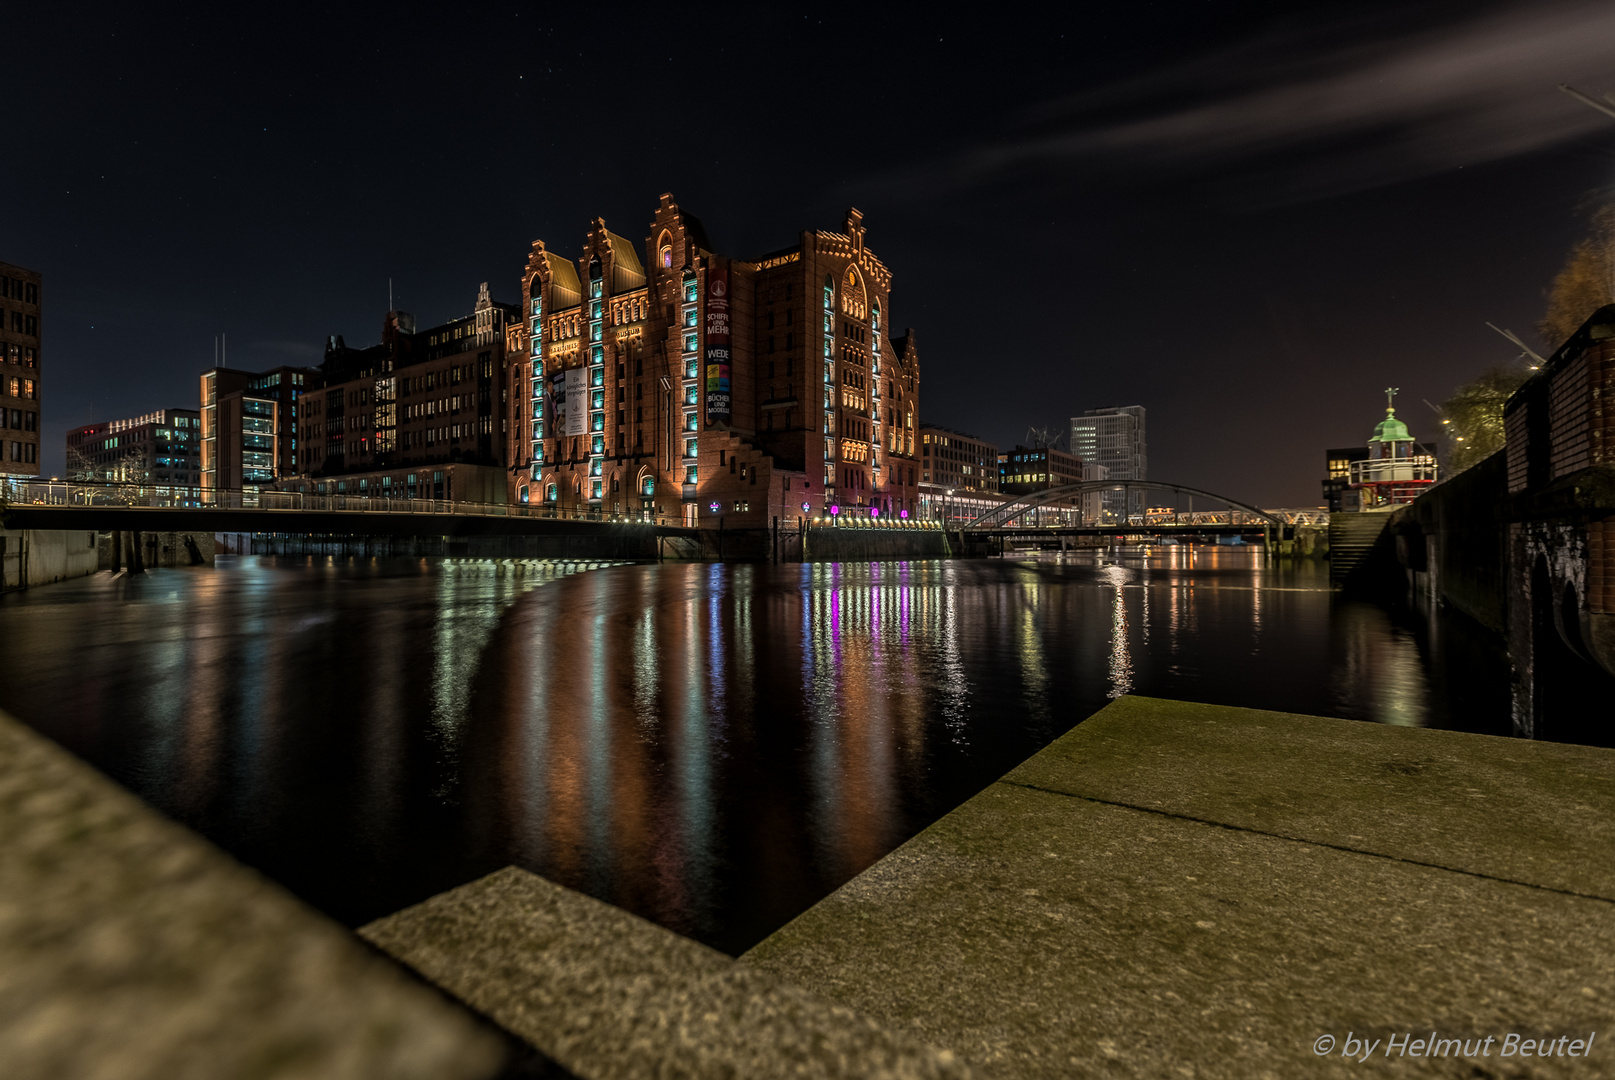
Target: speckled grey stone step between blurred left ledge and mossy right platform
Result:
[611, 997]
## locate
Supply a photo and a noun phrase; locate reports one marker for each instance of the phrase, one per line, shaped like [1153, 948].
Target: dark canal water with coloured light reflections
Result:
[710, 747]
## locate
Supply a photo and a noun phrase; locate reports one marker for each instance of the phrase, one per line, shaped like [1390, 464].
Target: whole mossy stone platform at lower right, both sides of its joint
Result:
[1215, 906]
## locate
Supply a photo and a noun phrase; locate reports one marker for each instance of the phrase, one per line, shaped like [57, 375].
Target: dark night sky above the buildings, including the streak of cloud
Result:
[1246, 217]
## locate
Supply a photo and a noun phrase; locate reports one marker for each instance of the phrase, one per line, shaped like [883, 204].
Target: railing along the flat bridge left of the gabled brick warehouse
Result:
[64, 493]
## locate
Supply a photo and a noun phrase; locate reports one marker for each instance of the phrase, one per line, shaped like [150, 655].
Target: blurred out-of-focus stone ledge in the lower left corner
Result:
[132, 950]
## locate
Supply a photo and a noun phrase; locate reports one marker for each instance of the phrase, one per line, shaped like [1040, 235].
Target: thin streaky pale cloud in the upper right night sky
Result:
[1336, 117]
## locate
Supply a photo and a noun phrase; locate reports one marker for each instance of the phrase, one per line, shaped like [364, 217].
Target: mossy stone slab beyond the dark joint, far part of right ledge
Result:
[1516, 810]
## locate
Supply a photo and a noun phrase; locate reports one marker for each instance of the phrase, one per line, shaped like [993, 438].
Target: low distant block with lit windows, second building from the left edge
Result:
[162, 448]
